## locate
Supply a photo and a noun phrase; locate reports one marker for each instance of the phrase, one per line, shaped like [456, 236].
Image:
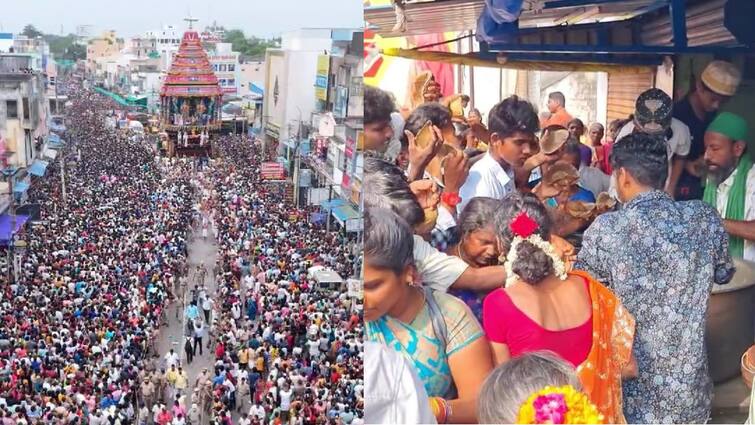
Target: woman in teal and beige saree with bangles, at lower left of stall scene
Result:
[436, 331]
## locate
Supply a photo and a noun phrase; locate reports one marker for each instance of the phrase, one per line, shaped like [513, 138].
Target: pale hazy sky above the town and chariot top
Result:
[264, 18]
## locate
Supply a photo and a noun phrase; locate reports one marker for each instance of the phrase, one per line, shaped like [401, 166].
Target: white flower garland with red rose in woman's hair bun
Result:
[524, 227]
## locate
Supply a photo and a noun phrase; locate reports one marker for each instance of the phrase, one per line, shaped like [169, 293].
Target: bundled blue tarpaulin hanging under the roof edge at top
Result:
[499, 21]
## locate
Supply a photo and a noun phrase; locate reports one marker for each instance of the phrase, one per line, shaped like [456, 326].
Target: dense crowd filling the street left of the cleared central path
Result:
[78, 323]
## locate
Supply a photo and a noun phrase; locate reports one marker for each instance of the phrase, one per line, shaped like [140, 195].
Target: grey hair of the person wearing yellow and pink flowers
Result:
[512, 383]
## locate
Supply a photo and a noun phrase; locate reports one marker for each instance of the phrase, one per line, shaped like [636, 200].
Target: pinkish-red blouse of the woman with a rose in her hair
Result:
[504, 323]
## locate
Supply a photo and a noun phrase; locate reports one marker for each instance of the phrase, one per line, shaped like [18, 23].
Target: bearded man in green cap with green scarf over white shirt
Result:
[731, 181]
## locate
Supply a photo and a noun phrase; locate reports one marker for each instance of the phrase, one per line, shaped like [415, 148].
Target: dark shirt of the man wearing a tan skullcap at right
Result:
[689, 186]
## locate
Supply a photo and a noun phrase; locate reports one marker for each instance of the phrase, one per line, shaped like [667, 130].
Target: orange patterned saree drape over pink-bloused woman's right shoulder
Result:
[613, 334]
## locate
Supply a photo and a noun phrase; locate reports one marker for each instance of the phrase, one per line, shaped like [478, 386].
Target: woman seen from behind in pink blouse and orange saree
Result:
[544, 307]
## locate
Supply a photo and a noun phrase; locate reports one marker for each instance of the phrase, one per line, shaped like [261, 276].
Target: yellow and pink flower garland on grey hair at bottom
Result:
[559, 405]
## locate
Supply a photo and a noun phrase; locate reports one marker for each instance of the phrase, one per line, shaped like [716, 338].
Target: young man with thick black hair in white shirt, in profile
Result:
[512, 124]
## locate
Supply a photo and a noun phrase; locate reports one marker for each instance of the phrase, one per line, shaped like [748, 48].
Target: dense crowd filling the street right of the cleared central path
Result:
[284, 349]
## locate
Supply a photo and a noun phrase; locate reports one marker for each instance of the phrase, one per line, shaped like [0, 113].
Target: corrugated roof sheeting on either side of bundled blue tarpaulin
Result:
[461, 15]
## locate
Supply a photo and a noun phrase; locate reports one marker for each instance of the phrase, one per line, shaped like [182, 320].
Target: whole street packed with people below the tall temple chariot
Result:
[158, 290]
